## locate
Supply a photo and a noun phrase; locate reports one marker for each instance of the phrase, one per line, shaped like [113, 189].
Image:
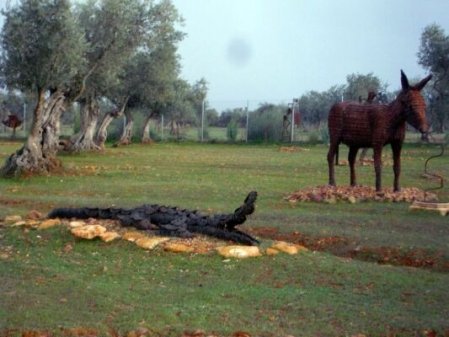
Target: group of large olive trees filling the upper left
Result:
[120, 51]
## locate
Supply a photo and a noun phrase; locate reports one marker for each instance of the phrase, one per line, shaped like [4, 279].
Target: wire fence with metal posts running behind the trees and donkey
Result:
[237, 121]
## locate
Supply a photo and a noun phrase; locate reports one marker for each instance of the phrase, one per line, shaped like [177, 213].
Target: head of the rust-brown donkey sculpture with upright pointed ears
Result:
[414, 105]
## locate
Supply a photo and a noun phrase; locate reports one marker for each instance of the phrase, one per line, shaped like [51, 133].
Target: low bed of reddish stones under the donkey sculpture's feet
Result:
[332, 194]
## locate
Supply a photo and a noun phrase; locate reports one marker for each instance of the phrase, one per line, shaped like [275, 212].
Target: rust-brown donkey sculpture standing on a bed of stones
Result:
[376, 125]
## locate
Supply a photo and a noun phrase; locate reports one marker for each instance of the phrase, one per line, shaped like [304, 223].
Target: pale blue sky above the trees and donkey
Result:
[256, 51]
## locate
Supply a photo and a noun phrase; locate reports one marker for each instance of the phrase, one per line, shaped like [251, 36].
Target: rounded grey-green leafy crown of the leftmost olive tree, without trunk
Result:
[48, 57]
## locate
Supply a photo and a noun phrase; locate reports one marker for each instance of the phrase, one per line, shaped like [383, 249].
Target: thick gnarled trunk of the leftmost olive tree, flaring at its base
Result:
[38, 154]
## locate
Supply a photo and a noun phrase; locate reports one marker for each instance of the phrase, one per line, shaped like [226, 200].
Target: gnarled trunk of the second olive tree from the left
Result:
[84, 139]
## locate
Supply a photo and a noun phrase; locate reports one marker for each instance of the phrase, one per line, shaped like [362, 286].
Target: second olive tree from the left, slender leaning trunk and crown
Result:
[113, 29]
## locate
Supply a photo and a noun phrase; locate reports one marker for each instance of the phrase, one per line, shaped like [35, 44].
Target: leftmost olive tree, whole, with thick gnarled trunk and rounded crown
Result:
[42, 52]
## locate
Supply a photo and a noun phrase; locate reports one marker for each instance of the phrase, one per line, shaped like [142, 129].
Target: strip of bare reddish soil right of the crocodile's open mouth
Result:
[344, 247]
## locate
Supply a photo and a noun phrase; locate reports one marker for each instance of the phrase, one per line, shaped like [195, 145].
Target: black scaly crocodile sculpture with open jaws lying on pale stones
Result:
[172, 221]
